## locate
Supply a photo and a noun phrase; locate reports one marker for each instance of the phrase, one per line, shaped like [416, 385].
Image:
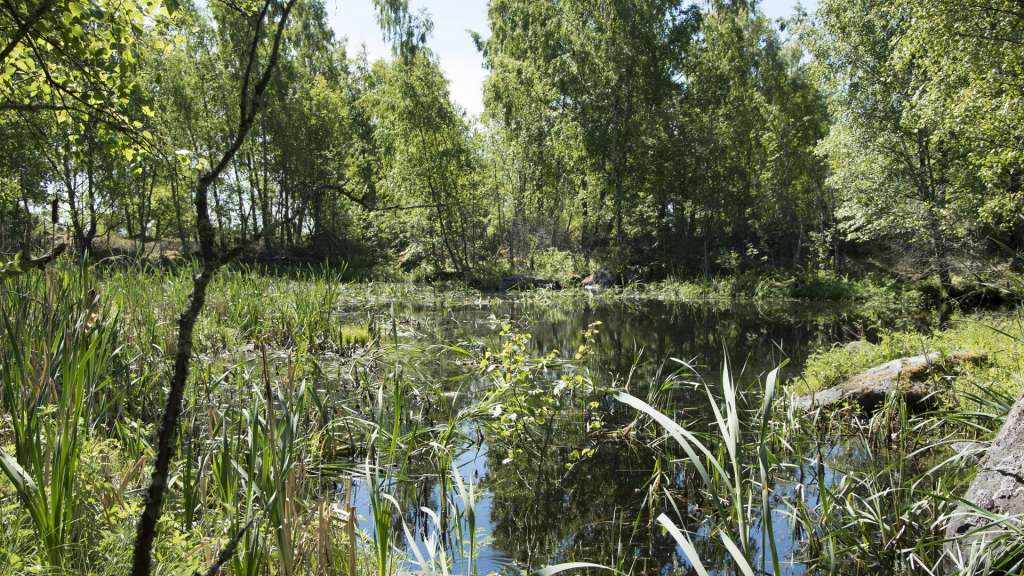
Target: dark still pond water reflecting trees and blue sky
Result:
[538, 511]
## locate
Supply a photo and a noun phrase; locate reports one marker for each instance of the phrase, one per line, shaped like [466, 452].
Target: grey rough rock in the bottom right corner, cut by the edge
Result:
[999, 489]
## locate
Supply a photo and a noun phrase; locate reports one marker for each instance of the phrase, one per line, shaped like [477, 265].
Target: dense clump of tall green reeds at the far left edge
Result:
[55, 368]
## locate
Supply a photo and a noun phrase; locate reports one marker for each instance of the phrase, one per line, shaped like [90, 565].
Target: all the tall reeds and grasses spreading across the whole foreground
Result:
[305, 384]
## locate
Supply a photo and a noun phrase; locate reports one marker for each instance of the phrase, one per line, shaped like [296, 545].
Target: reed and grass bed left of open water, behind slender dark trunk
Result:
[275, 401]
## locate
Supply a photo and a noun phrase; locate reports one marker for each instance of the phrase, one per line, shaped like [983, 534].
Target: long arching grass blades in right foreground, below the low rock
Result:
[880, 495]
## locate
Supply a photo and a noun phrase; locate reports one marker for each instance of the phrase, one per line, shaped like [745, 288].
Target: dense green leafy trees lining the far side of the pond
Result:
[654, 138]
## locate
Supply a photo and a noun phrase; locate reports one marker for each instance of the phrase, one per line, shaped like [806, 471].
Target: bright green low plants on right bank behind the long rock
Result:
[995, 336]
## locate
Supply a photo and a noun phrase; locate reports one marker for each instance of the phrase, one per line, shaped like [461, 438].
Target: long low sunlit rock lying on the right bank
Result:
[906, 377]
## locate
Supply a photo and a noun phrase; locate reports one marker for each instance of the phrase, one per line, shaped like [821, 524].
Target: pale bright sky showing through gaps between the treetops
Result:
[357, 21]
